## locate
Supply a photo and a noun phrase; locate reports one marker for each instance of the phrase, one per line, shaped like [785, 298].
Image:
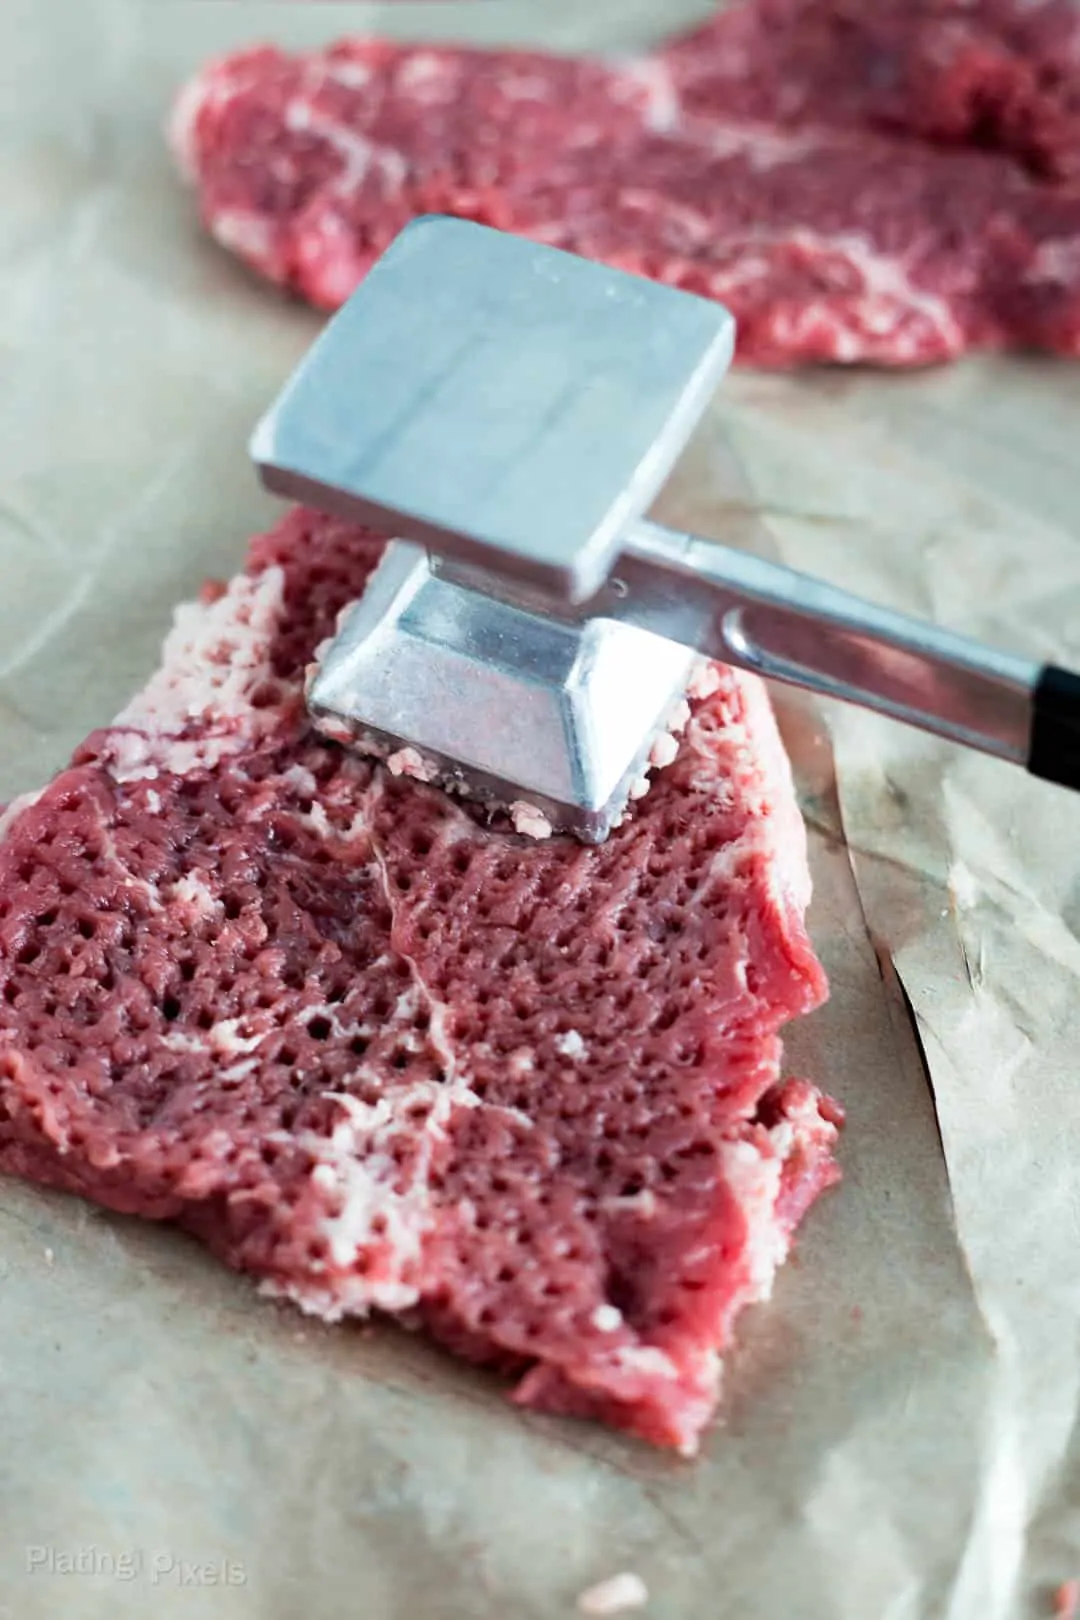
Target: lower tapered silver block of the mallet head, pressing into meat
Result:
[506, 704]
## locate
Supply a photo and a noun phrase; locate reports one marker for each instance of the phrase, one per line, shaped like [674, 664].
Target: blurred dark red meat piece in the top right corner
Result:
[1000, 75]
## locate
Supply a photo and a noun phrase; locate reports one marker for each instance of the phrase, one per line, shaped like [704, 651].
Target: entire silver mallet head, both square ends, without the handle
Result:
[508, 412]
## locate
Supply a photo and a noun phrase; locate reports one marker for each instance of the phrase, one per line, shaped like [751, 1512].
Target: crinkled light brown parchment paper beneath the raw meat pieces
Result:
[899, 1430]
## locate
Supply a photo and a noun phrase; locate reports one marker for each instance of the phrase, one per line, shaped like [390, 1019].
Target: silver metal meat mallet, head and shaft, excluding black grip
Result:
[517, 409]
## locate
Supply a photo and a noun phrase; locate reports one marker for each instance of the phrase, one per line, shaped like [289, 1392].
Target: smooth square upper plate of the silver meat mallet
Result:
[504, 404]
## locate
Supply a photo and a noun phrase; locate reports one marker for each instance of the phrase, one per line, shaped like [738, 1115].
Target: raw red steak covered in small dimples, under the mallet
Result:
[383, 1057]
